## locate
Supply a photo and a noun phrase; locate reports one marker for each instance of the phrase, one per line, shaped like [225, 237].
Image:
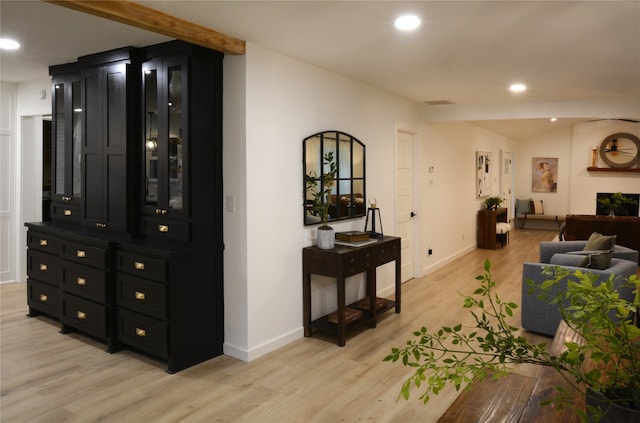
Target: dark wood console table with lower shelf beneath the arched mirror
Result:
[340, 263]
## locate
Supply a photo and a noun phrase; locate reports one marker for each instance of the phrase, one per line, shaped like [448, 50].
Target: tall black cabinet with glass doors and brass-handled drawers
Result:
[134, 254]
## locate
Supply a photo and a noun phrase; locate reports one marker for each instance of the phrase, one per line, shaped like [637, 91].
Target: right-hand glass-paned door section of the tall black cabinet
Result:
[164, 142]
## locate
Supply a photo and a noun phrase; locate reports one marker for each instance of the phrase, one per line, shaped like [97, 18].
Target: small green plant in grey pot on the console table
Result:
[319, 190]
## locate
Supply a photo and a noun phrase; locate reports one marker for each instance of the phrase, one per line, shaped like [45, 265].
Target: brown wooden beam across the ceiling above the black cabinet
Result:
[134, 14]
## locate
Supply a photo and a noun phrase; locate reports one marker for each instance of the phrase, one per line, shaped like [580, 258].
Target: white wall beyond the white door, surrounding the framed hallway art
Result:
[449, 205]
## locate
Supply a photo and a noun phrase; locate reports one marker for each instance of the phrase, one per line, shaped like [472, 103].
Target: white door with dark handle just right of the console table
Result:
[404, 201]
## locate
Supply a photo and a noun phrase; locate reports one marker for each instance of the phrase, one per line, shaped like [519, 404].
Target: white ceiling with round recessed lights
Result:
[465, 52]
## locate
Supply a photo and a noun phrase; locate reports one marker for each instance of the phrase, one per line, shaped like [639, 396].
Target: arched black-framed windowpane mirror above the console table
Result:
[346, 198]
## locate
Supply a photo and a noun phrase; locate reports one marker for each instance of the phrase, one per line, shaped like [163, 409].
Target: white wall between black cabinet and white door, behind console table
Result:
[286, 101]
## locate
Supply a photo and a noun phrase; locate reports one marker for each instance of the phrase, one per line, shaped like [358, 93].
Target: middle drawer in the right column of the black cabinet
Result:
[141, 295]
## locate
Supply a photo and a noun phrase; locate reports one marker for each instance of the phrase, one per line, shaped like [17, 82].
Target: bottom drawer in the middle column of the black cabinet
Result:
[85, 315]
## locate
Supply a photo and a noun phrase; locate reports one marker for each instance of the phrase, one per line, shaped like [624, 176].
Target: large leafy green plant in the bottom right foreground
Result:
[461, 356]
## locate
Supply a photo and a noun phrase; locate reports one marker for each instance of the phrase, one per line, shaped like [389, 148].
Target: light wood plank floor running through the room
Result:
[49, 377]
